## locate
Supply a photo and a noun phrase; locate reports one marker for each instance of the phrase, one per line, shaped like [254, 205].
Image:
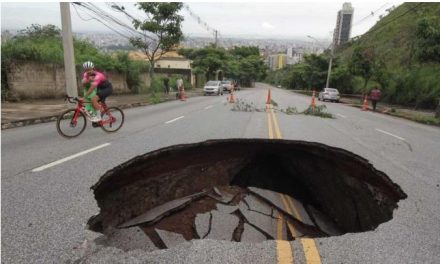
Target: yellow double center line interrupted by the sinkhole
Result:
[284, 250]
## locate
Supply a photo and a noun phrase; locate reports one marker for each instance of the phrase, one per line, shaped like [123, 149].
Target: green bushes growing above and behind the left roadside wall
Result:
[44, 44]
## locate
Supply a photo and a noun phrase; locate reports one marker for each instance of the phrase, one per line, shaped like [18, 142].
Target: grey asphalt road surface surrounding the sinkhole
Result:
[45, 205]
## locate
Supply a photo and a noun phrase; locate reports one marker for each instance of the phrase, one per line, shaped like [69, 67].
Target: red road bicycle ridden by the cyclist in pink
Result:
[71, 123]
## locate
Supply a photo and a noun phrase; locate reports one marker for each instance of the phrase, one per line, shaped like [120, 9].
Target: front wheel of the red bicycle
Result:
[70, 126]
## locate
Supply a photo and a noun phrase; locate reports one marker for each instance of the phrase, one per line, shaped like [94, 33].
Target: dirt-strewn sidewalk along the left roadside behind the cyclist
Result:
[46, 110]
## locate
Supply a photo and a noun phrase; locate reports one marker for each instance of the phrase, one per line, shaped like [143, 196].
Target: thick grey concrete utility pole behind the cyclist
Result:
[69, 58]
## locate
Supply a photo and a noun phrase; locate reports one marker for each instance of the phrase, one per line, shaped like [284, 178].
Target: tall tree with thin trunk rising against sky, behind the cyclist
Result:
[162, 29]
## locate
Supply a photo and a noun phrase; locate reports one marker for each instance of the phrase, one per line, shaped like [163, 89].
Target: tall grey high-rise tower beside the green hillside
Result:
[343, 24]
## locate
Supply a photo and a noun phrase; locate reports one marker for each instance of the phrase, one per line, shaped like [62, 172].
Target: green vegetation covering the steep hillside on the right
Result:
[400, 54]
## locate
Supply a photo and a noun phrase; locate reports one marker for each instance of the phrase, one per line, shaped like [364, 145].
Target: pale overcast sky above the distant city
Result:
[244, 19]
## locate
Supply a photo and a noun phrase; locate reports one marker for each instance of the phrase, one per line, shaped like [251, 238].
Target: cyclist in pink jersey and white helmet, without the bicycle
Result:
[96, 89]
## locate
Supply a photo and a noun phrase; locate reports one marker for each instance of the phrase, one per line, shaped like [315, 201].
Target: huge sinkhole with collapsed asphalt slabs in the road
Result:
[246, 190]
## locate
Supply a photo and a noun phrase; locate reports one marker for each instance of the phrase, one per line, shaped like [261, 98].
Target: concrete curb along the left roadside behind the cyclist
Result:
[51, 118]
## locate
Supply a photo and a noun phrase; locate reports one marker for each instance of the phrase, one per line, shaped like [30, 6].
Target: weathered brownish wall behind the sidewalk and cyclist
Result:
[32, 80]
